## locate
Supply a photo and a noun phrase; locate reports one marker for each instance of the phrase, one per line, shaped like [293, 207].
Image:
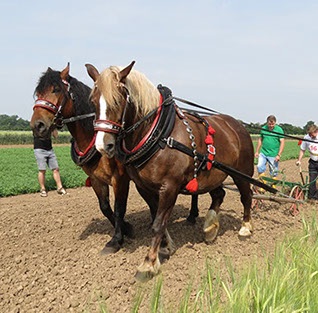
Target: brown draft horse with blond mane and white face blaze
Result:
[123, 97]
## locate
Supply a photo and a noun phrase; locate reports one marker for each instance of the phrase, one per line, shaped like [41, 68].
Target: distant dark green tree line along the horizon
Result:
[14, 122]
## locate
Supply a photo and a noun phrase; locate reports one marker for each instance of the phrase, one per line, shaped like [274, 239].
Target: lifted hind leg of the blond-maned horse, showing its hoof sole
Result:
[211, 224]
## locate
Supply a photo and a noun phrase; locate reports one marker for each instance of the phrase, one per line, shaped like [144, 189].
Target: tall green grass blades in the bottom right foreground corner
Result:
[284, 283]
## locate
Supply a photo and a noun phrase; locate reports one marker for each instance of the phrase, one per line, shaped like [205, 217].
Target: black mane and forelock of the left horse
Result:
[81, 93]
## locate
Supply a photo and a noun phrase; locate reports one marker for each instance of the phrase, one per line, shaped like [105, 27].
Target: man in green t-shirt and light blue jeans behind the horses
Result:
[271, 145]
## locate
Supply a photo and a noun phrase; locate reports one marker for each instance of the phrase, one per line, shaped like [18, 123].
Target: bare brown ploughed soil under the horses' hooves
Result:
[50, 260]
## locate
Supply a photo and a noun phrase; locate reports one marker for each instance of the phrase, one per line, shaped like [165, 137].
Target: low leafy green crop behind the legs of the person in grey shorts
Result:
[19, 172]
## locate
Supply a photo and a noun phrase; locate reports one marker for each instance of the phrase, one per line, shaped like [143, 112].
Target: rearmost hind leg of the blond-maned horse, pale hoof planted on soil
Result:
[246, 199]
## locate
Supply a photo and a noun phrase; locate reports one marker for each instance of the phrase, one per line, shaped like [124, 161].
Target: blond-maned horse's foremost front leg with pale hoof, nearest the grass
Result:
[150, 266]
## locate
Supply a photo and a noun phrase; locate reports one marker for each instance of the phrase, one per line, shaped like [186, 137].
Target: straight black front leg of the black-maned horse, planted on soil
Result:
[121, 189]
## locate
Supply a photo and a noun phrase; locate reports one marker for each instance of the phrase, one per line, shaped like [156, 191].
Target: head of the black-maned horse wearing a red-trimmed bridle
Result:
[53, 100]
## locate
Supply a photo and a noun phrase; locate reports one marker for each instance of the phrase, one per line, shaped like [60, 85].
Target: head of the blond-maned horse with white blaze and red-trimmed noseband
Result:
[110, 96]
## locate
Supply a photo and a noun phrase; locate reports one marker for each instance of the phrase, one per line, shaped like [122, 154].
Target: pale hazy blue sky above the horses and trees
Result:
[248, 59]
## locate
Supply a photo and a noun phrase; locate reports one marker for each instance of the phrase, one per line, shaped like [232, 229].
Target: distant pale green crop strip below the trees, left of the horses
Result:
[25, 137]
